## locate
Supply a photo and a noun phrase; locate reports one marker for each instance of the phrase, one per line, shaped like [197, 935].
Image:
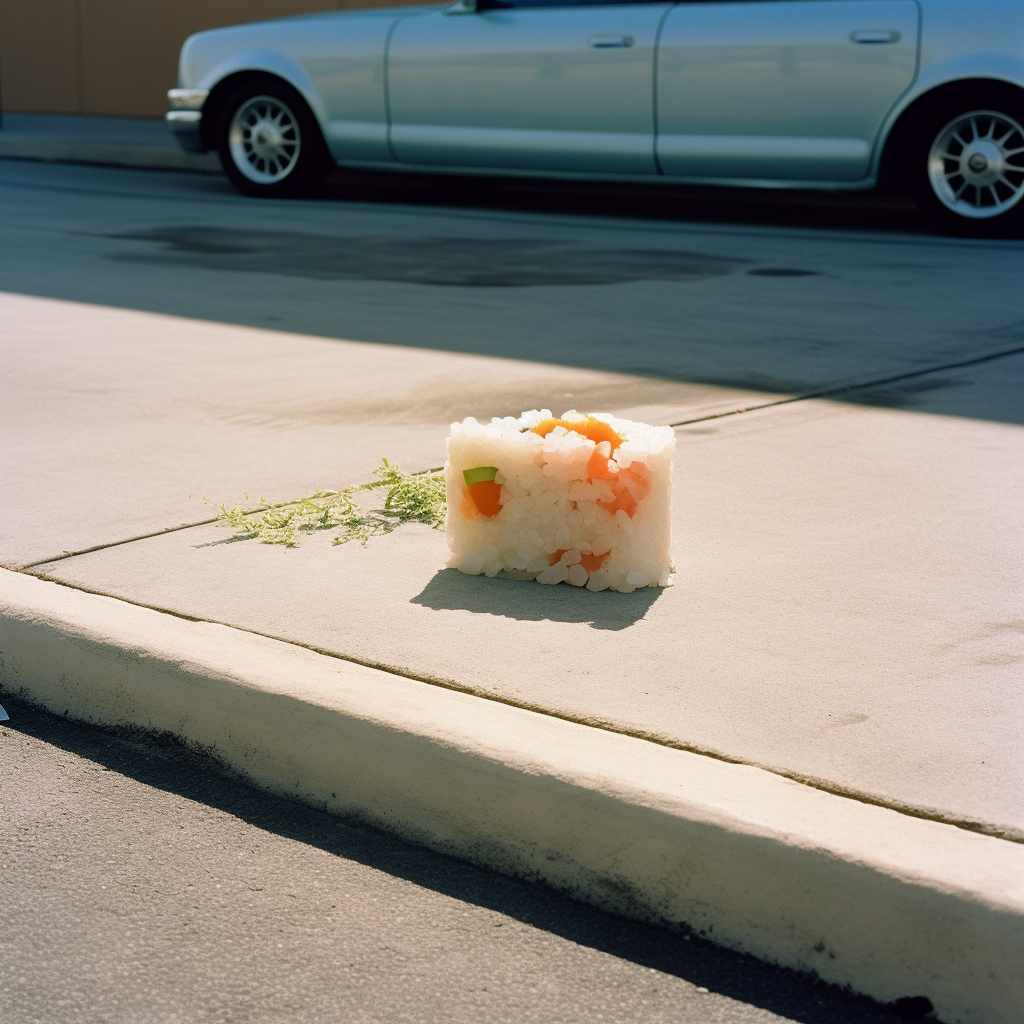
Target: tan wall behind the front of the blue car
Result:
[114, 57]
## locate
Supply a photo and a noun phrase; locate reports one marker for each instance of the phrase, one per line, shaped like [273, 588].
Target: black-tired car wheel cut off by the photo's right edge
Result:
[967, 163]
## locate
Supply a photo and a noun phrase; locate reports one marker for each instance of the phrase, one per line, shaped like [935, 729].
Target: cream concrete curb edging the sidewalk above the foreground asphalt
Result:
[888, 905]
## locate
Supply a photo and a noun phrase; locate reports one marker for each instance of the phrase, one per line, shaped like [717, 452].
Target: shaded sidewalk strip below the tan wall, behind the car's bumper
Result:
[88, 140]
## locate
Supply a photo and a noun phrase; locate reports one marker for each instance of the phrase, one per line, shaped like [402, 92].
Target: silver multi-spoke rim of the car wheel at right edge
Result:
[976, 165]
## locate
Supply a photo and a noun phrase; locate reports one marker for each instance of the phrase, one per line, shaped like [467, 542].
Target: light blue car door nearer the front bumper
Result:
[532, 84]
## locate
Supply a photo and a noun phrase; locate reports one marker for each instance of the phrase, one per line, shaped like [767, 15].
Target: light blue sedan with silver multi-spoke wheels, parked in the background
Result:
[927, 96]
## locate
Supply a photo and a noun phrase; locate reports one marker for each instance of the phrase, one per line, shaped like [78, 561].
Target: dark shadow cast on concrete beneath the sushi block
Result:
[451, 590]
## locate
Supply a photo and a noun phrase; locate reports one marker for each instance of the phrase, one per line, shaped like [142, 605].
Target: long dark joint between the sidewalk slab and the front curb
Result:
[810, 782]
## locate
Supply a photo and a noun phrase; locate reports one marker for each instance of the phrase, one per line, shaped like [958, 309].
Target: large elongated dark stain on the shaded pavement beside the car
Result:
[452, 262]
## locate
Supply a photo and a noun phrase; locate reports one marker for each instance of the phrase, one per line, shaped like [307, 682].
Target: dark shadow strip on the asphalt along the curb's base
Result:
[168, 766]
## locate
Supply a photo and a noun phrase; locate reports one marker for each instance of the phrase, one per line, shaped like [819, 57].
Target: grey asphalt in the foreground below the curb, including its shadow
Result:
[143, 884]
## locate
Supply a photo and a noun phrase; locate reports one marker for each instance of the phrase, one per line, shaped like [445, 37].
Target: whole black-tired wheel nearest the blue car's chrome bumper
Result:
[270, 144]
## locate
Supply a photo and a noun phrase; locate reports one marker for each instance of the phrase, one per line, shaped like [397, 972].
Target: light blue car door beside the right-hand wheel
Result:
[781, 90]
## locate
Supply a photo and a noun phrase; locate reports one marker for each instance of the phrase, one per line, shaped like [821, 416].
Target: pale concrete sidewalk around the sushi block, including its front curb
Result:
[833, 623]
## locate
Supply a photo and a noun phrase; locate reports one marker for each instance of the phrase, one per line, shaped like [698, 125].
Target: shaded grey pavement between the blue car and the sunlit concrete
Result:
[623, 282]
